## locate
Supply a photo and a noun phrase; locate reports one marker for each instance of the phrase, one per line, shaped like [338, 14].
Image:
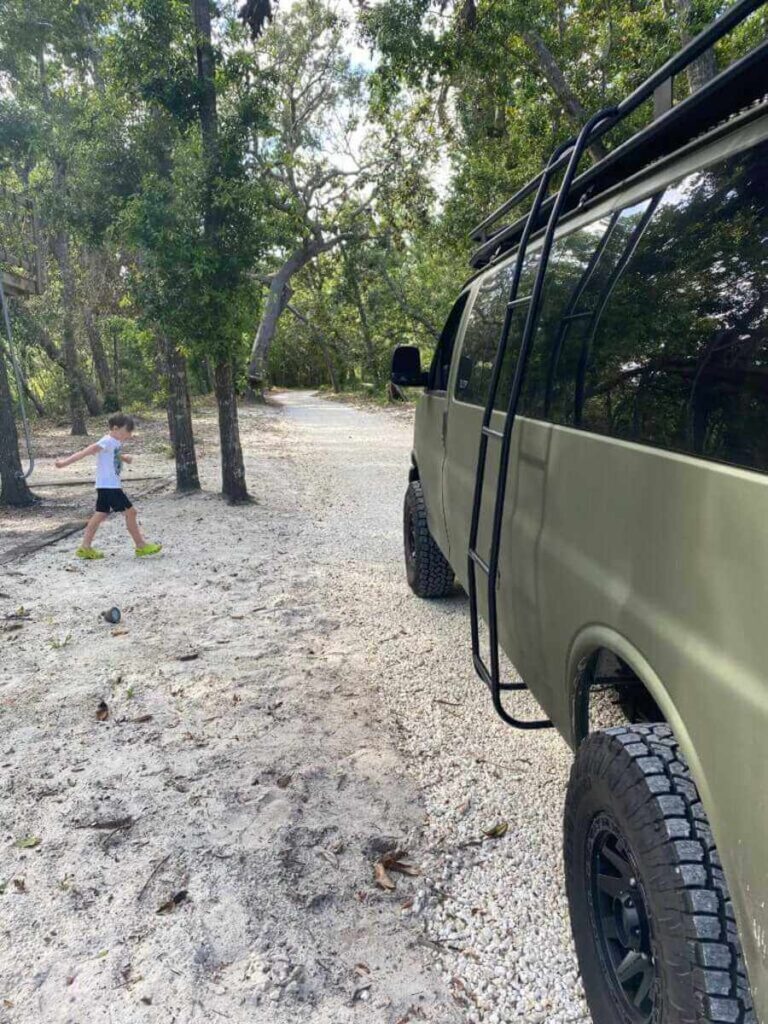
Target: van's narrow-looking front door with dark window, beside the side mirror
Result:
[431, 425]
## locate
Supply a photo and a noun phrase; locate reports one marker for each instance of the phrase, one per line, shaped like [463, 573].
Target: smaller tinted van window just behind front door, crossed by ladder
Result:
[484, 333]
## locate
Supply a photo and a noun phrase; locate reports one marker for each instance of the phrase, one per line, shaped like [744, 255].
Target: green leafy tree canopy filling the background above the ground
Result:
[237, 195]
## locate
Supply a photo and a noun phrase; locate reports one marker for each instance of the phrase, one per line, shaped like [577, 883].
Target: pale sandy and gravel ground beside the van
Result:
[282, 712]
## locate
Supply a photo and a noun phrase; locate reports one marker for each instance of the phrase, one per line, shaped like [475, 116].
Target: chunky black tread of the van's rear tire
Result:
[647, 758]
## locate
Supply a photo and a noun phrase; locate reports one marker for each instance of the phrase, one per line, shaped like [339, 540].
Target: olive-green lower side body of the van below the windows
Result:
[606, 540]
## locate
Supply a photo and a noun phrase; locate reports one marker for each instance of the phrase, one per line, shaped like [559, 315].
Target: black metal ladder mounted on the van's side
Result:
[492, 675]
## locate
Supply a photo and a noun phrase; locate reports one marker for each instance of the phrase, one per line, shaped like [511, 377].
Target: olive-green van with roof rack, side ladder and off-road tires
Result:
[590, 463]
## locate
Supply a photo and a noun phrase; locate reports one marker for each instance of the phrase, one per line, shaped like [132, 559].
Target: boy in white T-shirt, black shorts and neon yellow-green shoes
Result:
[110, 495]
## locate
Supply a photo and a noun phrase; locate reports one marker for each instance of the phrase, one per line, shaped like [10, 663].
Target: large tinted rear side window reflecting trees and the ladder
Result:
[654, 325]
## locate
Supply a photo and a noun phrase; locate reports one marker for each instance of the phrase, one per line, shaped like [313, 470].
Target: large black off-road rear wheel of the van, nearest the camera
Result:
[652, 916]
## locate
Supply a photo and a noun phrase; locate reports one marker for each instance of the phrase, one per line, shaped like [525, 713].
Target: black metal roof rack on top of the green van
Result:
[735, 89]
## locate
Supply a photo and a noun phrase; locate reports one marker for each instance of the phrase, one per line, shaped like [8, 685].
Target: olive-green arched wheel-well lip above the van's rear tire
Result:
[595, 638]
